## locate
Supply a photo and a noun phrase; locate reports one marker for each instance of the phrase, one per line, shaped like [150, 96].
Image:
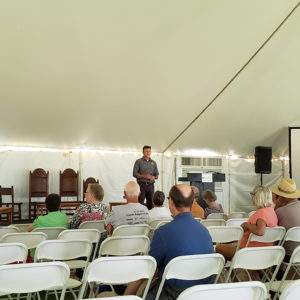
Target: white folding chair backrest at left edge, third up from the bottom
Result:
[29, 239]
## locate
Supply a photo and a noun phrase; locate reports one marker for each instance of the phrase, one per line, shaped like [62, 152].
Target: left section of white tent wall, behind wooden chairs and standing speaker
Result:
[113, 170]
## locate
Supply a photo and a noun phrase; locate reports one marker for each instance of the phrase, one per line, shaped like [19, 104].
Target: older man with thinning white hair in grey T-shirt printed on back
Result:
[128, 214]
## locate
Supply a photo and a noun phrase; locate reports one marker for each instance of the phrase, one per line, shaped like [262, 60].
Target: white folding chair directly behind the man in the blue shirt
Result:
[192, 267]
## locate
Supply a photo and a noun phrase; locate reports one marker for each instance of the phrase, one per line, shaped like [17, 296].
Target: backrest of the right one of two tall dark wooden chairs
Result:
[68, 183]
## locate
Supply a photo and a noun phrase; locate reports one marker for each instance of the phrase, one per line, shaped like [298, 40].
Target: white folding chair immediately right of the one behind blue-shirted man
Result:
[257, 258]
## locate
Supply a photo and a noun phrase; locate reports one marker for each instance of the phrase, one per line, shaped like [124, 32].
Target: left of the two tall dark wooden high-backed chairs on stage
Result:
[38, 188]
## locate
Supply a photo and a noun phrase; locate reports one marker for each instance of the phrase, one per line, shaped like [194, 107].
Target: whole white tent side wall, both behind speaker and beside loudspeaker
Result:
[114, 170]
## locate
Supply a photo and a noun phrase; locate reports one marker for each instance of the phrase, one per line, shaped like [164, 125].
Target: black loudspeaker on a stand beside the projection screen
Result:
[263, 157]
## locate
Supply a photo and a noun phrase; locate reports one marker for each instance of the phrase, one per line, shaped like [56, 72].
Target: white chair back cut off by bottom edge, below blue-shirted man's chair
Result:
[253, 290]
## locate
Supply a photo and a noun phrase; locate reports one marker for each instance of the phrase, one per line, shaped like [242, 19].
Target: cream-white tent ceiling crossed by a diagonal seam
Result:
[120, 74]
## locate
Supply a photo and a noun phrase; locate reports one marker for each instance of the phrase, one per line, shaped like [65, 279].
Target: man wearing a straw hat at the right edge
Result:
[287, 208]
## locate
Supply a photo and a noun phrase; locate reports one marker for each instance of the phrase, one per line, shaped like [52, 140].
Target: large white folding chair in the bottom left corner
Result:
[31, 278]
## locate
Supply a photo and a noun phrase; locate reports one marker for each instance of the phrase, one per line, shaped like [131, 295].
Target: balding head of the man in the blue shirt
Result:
[182, 196]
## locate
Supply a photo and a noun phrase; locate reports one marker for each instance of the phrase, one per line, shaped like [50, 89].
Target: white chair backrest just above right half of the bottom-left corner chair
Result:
[63, 250]
